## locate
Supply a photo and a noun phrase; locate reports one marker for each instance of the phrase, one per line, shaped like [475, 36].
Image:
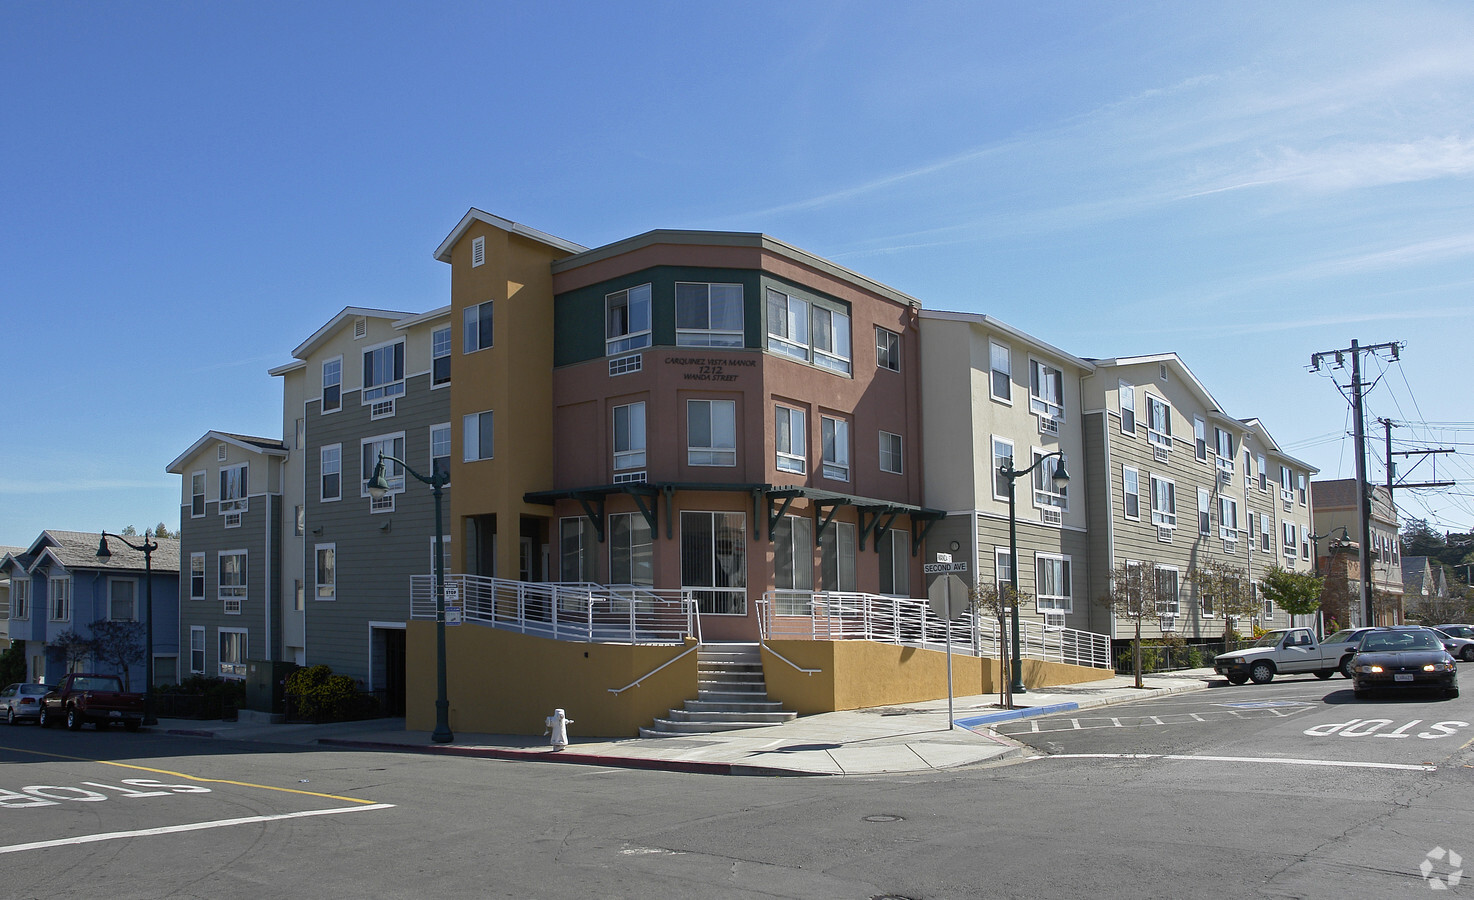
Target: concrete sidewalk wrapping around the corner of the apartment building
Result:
[882, 740]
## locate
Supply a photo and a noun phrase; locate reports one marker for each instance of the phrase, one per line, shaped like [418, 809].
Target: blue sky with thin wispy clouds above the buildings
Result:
[188, 191]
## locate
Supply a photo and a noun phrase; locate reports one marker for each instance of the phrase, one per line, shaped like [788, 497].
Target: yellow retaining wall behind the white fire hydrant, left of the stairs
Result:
[505, 683]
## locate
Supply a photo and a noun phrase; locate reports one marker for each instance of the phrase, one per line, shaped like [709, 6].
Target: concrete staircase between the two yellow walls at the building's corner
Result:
[732, 695]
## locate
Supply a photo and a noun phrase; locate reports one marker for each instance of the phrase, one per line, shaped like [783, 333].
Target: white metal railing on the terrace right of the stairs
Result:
[845, 616]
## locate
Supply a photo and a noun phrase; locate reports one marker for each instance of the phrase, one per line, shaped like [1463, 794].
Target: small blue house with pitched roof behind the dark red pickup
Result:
[60, 584]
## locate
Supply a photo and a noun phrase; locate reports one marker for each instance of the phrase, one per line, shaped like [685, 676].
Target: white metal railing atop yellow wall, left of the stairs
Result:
[564, 612]
